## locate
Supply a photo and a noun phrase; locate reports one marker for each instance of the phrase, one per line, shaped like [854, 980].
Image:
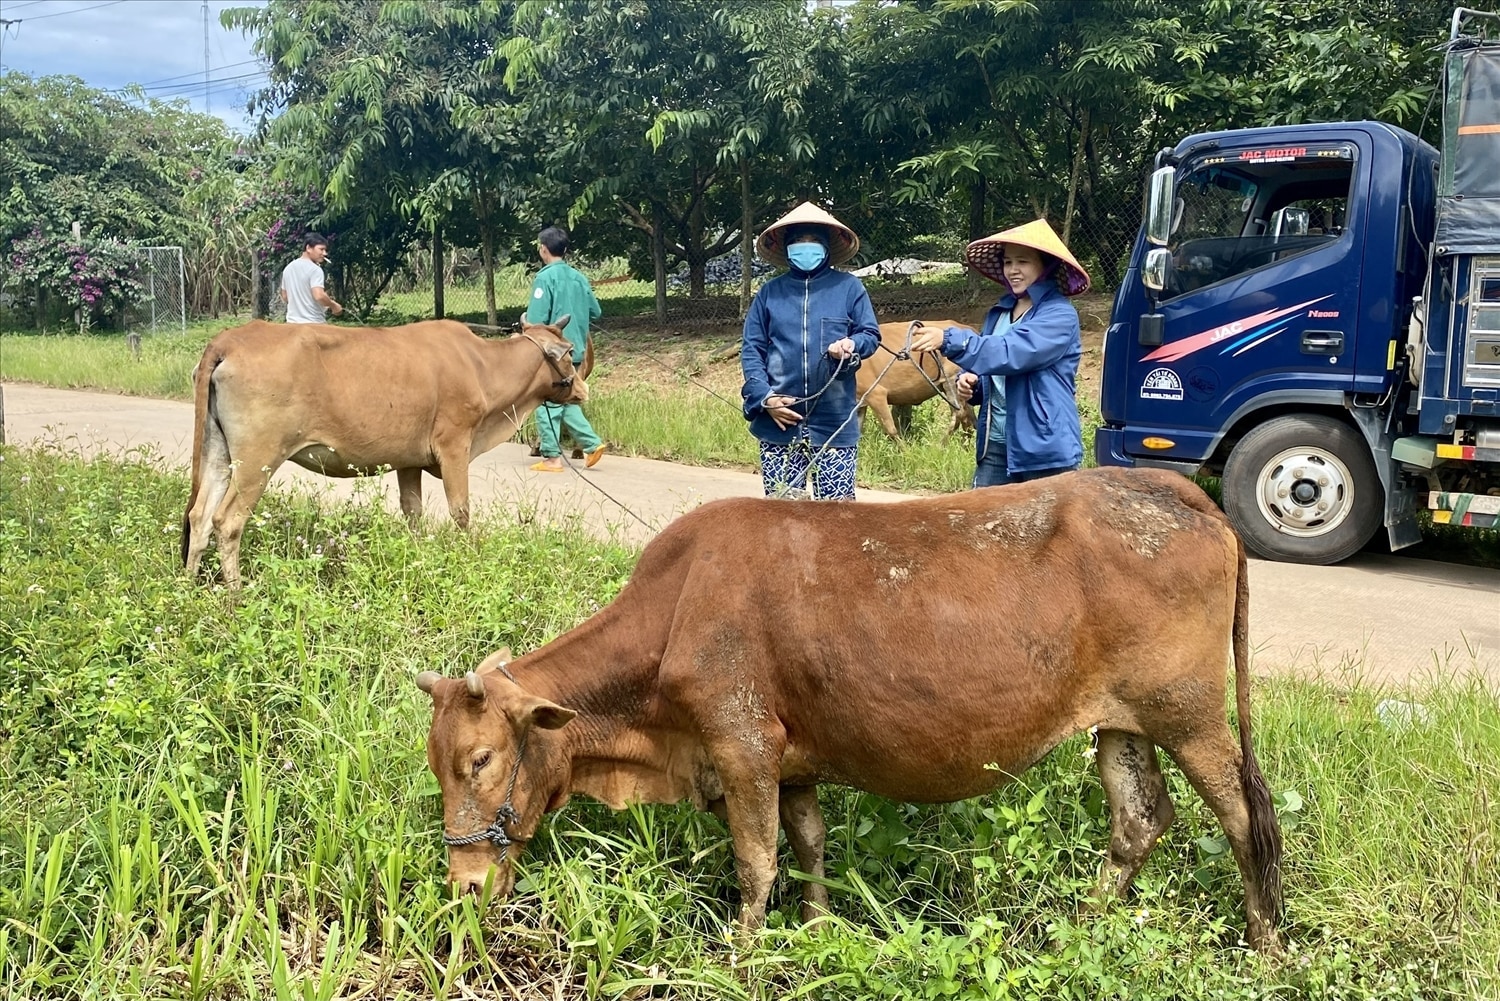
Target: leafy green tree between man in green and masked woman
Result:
[670, 110]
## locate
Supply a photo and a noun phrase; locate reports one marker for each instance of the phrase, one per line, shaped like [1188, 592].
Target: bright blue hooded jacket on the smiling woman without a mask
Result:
[1039, 358]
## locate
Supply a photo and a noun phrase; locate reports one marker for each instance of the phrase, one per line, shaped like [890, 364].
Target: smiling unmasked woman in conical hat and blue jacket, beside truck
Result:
[1025, 362]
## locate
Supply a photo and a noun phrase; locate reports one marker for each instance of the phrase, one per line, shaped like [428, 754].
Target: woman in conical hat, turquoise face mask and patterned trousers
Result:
[805, 337]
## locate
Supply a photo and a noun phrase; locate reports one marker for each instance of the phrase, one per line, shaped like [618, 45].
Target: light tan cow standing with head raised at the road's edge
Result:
[355, 401]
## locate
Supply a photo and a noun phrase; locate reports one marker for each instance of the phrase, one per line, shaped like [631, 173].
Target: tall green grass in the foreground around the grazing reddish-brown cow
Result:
[205, 798]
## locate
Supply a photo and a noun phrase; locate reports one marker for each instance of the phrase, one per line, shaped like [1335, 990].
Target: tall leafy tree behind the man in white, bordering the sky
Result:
[391, 113]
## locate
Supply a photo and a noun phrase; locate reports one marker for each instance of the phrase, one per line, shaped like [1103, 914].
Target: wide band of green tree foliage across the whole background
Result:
[670, 131]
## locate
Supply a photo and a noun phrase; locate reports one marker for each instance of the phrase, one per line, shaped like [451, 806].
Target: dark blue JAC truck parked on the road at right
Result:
[1313, 314]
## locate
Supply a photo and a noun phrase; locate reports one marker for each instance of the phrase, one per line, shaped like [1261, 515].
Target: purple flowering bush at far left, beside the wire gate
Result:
[98, 278]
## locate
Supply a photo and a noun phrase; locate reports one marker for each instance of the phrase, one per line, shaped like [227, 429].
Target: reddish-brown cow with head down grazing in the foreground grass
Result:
[763, 648]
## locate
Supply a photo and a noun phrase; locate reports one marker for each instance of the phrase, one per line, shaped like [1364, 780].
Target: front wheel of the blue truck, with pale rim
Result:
[1303, 490]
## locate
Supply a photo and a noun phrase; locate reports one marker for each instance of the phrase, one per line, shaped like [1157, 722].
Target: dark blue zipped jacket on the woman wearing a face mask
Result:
[785, 353]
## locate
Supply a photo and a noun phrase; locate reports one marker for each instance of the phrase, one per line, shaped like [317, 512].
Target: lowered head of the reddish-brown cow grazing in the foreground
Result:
[499, 774]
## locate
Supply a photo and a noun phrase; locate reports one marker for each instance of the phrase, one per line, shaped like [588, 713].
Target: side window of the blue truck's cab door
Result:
[1244, 211]
